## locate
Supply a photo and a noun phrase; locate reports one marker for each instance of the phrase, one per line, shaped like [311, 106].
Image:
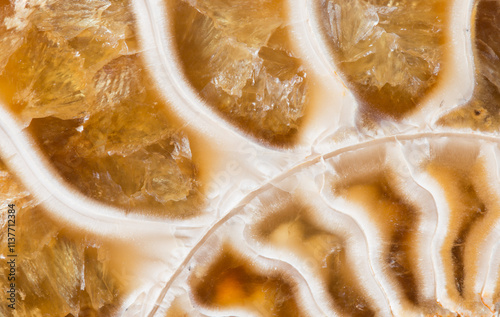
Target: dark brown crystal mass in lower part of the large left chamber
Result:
[128, 157]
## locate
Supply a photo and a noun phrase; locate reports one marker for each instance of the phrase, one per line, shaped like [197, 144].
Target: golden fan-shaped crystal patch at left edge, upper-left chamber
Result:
[48, 78]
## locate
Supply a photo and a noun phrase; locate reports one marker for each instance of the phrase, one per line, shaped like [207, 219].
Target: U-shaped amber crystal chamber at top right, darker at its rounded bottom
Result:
[389, 52]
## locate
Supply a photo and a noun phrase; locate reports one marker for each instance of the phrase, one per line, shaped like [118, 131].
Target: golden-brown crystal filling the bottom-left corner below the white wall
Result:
[62, 273]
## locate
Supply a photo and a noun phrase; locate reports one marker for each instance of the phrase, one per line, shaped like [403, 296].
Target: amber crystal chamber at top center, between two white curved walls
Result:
[227, 56]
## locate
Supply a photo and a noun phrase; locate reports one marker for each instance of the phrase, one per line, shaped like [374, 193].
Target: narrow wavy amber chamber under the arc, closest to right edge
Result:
[474, 206]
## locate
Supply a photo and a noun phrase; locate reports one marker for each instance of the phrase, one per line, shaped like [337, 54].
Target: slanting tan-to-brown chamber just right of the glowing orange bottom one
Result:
[293, 227]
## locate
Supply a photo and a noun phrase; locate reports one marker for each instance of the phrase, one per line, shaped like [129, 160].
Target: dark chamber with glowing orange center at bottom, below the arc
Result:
[231, 281]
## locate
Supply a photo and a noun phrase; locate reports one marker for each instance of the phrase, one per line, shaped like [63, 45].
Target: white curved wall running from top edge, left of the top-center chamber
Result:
[164, 65]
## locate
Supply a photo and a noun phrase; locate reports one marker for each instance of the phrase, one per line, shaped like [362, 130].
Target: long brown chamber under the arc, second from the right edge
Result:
[367, 181]
